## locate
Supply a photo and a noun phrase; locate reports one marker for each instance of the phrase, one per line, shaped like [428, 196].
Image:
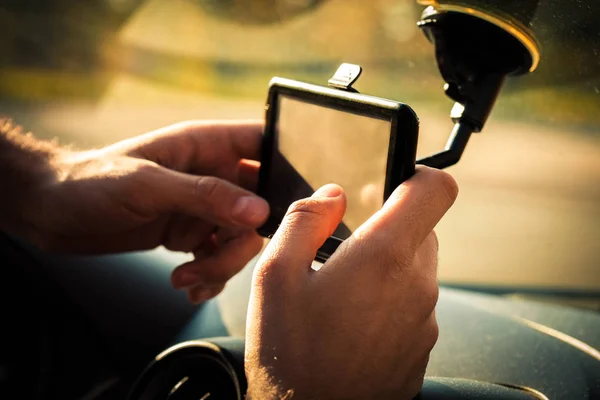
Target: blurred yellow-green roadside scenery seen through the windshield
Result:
[528, 216]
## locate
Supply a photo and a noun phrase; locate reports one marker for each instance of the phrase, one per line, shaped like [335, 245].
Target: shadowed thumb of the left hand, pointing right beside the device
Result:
[213, 199]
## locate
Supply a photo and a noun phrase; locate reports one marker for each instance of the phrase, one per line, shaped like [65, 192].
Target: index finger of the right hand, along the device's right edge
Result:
[411, 212]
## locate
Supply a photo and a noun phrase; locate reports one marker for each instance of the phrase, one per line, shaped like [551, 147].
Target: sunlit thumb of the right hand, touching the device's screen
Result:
[305, 227]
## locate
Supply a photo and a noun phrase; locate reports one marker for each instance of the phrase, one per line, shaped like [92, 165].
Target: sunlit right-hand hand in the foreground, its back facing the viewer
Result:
[362, 326]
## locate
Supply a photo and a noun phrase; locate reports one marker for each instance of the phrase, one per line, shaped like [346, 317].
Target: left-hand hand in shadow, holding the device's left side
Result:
[180, 187]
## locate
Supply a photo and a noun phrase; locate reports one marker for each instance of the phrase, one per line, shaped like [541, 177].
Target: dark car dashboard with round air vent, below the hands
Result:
[86, 327]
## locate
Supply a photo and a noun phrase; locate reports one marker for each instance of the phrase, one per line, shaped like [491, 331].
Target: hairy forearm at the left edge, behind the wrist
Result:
[25, 164]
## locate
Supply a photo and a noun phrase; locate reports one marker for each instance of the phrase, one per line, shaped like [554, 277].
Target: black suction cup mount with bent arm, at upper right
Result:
[475, 52]
